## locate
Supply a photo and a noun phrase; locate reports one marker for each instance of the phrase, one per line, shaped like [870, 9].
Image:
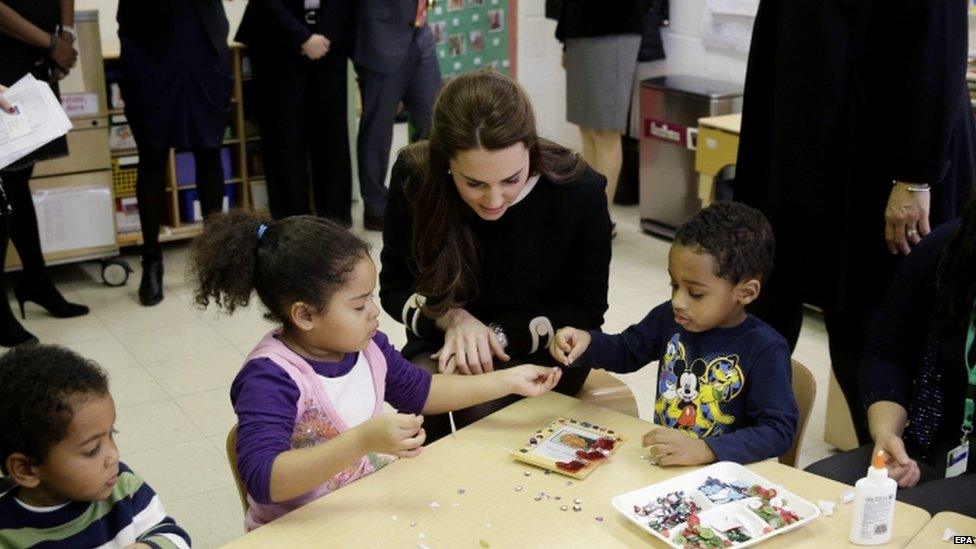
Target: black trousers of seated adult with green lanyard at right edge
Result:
[934, 492]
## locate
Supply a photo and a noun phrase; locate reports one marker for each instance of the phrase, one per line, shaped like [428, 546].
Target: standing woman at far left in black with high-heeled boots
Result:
[36, 37]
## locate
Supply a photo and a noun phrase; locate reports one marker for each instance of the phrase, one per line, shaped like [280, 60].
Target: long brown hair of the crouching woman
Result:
[477, 110]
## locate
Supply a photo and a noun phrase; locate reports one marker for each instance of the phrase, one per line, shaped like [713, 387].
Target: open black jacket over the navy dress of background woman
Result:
[150, 24]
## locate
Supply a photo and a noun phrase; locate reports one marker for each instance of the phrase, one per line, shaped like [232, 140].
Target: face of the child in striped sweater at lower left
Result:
[84, 465]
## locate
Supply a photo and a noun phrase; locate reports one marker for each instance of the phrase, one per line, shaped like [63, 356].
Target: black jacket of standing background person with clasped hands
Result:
[280, 25]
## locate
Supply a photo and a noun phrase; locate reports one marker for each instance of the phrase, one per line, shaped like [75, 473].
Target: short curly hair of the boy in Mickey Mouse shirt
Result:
[737, 236]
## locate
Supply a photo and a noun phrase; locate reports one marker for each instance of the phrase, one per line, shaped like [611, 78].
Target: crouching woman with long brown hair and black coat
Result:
[493, 238]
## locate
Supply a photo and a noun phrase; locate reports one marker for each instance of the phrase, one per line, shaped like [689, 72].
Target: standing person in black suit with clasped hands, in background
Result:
[298, 56]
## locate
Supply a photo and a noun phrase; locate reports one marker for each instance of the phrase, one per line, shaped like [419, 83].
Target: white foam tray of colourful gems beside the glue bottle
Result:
[689, 483]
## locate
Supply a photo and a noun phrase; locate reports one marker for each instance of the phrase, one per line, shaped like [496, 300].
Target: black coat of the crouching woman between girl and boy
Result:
[548, 256]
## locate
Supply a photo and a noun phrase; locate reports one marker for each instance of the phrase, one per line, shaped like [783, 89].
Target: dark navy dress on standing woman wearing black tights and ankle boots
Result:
[181, 98]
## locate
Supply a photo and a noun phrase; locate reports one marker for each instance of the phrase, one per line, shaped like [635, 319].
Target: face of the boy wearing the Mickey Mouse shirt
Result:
[701, 300]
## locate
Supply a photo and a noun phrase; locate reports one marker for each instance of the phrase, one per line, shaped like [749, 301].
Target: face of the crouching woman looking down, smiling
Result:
[490, 181]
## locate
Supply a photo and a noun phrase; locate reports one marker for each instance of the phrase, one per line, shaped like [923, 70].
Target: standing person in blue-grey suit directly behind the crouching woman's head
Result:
[395, 60]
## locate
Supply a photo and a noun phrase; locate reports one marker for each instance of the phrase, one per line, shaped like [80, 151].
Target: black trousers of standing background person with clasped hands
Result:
[301, 111]
